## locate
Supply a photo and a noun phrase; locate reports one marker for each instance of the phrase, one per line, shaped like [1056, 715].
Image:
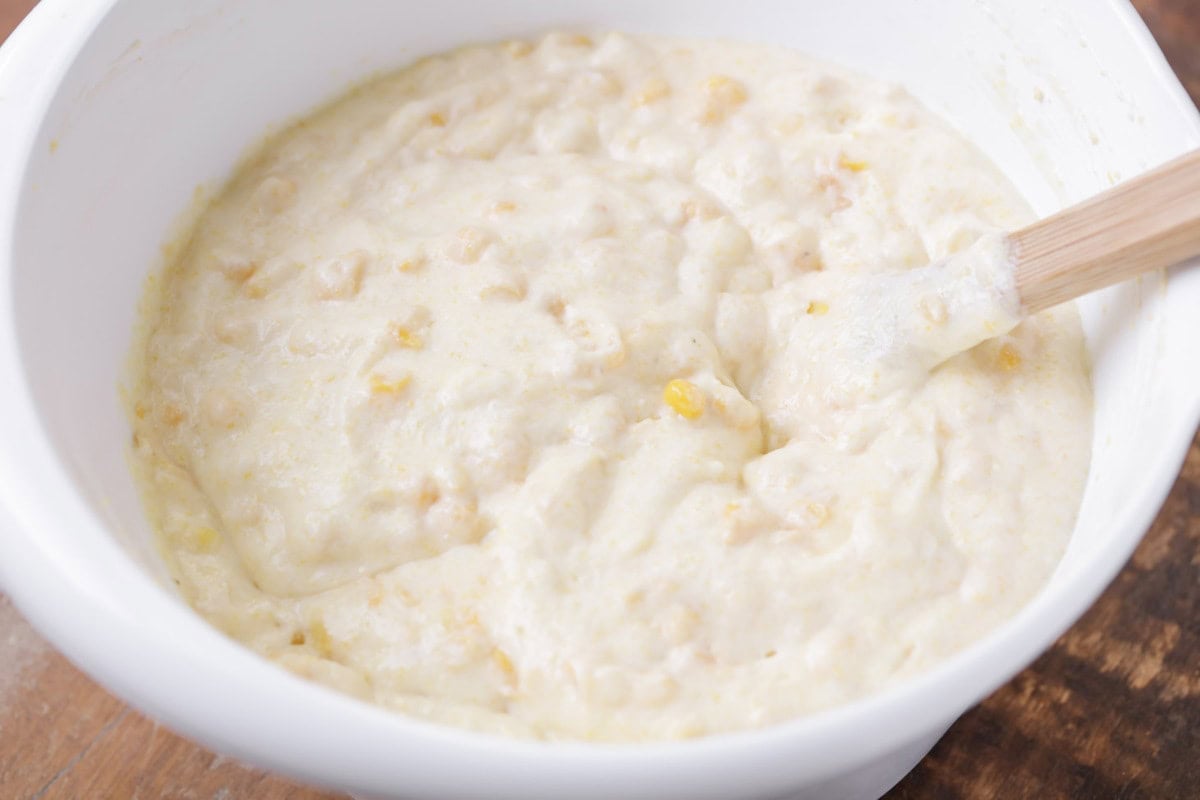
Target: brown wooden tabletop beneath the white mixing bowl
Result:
[1112, 712]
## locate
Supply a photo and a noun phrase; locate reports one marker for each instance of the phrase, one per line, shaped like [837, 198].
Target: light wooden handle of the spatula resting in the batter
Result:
[1147, 224]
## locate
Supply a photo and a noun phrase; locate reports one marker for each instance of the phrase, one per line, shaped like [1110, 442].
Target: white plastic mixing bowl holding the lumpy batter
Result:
[112, 112]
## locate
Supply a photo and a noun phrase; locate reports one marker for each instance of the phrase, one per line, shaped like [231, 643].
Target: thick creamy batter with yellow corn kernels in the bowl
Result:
[577, 389]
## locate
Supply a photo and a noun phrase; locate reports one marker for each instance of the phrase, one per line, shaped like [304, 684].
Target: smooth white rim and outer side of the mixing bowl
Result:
[220, 694]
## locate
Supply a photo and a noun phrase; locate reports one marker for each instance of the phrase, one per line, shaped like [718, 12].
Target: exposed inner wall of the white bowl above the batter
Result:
[163, 99]
